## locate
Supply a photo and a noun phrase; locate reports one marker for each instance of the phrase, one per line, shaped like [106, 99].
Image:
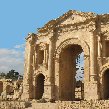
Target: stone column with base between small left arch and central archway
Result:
[49, 94]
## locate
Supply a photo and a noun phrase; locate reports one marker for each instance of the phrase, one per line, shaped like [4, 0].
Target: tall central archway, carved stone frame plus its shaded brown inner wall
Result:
[67, 47]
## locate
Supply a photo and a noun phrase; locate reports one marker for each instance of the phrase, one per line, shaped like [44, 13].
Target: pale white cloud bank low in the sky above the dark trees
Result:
[11, 59]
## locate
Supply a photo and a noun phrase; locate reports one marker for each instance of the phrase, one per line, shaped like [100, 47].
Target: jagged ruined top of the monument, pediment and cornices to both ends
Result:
[71, 18]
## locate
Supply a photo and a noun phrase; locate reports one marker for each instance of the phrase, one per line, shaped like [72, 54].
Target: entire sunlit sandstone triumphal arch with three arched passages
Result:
[50, 58]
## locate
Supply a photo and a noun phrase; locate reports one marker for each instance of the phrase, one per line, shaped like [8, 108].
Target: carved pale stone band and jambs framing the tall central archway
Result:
[86, 51]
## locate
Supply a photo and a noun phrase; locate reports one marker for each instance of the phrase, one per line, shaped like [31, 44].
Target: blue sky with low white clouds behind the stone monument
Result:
[19, 17]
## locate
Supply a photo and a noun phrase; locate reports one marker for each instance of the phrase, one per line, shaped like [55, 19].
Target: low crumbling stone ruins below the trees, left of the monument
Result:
[10, 90]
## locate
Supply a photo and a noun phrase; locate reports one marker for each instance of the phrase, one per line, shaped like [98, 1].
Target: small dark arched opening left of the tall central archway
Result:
[39, 86]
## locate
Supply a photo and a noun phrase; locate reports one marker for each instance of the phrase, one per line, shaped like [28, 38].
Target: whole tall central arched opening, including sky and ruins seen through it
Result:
[70, 72]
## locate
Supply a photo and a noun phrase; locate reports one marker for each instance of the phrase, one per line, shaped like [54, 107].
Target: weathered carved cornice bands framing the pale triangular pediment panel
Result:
[56, 23]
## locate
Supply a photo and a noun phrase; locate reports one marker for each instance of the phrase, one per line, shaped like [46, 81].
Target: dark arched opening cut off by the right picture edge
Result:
[106, 84]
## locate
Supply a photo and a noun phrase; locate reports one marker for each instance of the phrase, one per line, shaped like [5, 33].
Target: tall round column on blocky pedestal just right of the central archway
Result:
[91, 87]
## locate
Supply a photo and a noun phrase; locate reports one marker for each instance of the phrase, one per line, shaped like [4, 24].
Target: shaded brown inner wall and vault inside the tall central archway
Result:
[68, 72]
